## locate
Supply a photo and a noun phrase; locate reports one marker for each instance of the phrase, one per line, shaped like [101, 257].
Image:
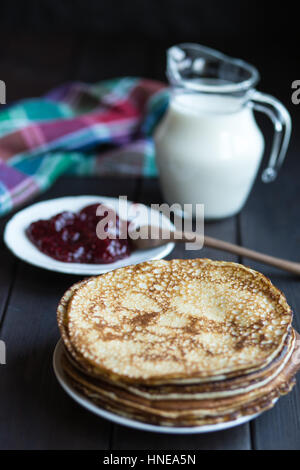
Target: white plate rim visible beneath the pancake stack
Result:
[89, 405]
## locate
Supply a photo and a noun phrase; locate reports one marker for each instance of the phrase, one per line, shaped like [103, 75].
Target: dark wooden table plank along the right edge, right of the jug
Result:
[270, 223]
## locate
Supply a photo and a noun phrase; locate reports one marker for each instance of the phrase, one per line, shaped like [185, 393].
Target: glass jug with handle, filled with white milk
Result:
[208, 145]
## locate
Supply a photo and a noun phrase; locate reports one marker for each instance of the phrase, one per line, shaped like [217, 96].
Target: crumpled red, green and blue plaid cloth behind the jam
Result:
[99, 129]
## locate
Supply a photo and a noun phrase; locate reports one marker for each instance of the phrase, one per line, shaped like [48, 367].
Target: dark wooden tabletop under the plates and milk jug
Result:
[35, 413]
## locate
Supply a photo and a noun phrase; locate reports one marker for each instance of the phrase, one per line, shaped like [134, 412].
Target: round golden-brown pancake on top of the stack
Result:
[177, 320]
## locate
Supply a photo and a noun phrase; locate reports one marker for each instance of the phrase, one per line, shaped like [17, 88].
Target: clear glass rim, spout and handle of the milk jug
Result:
[192, 68]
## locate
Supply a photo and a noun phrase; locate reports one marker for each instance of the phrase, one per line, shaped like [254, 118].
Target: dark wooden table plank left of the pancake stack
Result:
[35, 413]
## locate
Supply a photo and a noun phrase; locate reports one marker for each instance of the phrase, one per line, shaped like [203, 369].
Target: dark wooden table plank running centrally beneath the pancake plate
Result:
[238, 438]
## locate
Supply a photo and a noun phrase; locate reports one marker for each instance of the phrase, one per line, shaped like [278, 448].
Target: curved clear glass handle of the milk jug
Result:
[281, 119]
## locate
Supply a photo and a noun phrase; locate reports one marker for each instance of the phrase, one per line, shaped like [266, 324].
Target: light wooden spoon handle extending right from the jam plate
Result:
[241, 251]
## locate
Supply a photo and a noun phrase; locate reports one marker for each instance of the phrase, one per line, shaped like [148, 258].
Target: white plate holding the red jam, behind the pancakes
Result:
[17, 241]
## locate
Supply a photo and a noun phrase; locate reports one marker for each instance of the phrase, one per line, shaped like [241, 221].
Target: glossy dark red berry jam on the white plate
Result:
[71, 237]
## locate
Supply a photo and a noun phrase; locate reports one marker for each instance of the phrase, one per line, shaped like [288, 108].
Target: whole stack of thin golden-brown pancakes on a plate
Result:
[179, 343]
